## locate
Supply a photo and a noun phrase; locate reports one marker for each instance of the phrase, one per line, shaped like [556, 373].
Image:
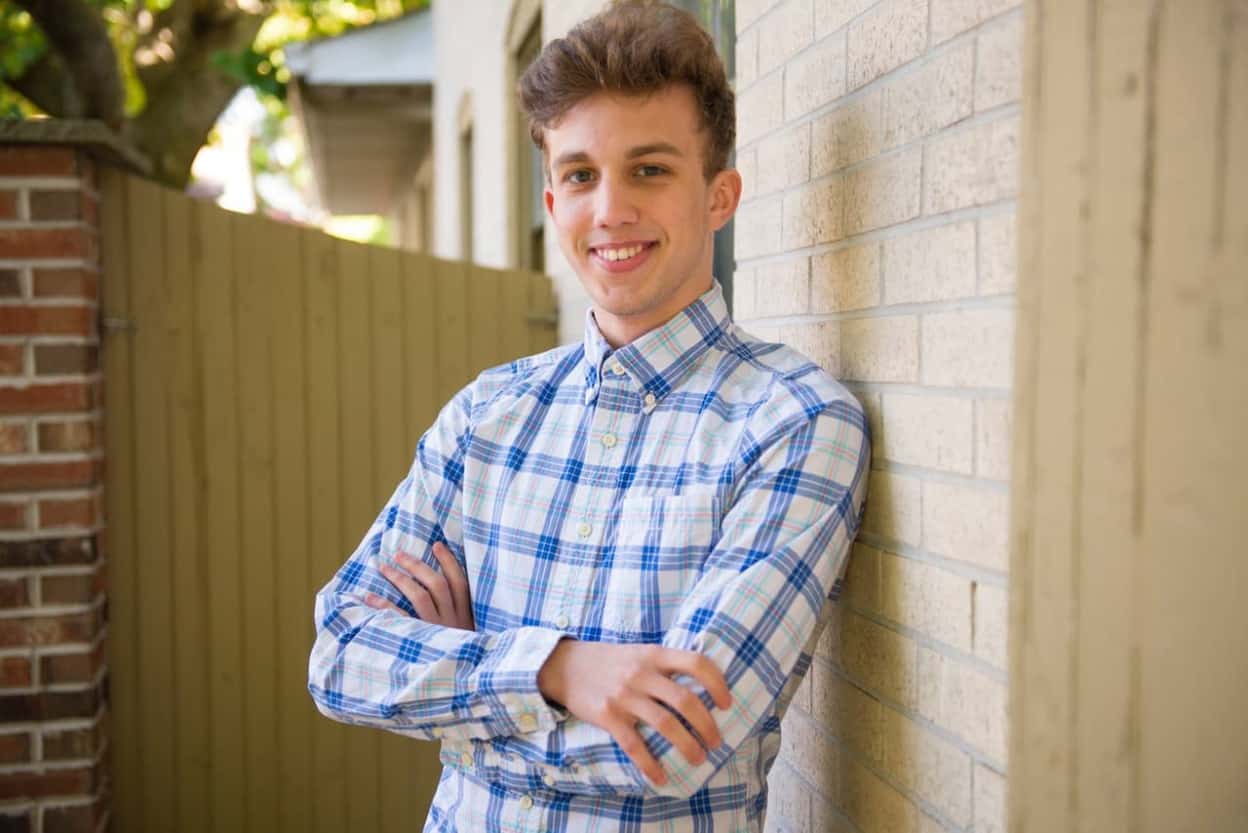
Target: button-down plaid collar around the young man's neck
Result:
[661, 359]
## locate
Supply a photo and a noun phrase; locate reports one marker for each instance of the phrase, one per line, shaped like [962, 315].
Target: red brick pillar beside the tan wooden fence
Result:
[53, 676]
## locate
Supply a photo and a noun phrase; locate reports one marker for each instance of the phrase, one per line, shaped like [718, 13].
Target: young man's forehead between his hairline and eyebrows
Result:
[608, 124]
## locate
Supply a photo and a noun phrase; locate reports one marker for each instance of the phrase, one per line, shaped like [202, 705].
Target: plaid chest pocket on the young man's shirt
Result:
[661, 545]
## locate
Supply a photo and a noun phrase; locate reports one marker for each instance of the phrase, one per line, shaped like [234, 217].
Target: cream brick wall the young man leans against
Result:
[879, 144]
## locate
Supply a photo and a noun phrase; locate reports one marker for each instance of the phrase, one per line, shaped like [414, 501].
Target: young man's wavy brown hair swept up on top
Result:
[636, 48]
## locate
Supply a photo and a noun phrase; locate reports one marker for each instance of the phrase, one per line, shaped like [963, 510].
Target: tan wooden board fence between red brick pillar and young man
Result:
[264, 408]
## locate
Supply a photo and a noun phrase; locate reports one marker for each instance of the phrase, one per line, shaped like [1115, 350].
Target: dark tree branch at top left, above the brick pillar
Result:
[78, 34]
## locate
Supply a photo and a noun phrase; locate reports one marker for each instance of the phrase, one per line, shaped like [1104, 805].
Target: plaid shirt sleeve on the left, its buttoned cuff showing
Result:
[379, 668]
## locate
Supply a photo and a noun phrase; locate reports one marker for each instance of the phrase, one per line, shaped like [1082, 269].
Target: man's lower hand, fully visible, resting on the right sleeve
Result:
[617, 686]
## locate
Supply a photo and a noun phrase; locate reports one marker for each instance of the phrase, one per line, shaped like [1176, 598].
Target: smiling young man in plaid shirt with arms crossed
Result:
[601, 581]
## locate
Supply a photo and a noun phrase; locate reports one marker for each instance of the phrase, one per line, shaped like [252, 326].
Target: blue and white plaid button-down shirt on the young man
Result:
[697, 489]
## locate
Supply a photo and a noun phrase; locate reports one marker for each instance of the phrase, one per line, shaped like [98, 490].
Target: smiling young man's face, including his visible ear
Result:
[632, 207]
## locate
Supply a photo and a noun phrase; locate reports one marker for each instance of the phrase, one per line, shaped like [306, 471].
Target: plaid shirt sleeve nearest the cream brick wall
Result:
[754, 610]
